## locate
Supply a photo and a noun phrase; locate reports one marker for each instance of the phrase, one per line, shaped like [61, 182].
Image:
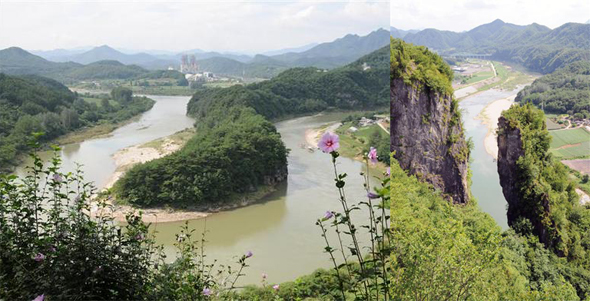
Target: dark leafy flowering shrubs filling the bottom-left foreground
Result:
[50, 245]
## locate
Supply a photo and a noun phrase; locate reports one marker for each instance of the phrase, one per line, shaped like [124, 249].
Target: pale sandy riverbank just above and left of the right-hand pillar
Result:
[489, 116]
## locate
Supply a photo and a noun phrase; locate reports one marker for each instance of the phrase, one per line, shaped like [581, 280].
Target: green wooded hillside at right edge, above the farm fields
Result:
[565, 91]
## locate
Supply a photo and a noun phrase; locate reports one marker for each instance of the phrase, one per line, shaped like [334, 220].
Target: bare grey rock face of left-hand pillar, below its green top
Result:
[427, 137]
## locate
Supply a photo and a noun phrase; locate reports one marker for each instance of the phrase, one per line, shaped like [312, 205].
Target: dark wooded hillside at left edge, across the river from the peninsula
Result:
[36, 104]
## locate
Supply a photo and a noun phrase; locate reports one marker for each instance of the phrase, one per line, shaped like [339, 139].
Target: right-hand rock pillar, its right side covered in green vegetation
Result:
[543, 204]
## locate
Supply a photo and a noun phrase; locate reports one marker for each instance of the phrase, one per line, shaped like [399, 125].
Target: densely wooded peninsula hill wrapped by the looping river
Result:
[233, 124]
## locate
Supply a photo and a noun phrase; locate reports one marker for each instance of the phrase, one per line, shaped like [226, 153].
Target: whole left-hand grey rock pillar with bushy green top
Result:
[426, 129]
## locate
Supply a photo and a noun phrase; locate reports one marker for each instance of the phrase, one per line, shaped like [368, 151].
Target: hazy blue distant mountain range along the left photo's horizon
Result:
[325, 55]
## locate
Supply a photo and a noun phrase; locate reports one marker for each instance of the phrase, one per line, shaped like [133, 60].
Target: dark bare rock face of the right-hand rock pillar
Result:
[510, 149]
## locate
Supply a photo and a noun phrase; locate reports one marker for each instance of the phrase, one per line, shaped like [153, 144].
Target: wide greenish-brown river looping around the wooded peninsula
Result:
[280, 230]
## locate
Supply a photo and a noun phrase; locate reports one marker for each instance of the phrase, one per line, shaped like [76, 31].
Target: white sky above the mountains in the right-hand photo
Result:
[462, 15]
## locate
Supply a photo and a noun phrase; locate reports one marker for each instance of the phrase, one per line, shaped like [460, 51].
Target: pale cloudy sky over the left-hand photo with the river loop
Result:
[233, 26]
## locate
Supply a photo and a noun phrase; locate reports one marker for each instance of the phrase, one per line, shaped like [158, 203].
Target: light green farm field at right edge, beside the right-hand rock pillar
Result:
[577, 139]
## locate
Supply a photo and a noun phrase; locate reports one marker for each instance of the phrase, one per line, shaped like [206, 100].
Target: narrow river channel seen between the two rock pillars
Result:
[486, 181]
